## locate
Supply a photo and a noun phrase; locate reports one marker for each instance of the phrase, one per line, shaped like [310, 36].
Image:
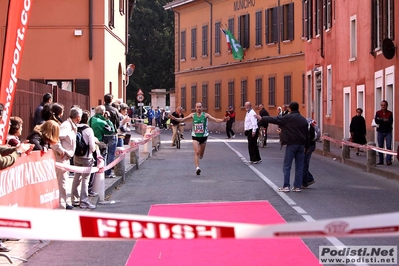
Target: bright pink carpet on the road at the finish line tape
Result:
[290, 251]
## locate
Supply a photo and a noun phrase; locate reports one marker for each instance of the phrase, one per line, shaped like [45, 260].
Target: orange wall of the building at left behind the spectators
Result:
[52, 51]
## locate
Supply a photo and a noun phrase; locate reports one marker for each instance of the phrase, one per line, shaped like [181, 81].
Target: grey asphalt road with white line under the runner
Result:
[169, 177]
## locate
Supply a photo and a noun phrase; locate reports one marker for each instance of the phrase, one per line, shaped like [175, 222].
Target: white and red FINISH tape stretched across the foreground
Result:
[31, 223]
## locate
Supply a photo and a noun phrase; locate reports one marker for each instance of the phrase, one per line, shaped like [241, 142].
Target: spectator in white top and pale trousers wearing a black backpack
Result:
[85, 146]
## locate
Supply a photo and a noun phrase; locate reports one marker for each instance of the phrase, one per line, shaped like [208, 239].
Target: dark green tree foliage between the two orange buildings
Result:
[151, 48]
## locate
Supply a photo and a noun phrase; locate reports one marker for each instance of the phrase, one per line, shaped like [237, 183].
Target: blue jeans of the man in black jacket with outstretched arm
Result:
[293, 152]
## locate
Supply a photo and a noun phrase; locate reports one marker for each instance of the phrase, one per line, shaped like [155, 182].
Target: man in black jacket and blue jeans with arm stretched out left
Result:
[294, 134]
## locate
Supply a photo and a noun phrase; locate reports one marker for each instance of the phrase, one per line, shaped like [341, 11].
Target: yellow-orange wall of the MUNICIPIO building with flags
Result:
[278, 60]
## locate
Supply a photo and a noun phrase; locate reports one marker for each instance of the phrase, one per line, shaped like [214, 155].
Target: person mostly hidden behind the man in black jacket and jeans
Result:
[314, 135]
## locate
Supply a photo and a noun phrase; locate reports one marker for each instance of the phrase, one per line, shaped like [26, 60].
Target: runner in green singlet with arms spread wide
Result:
[199, 132]
